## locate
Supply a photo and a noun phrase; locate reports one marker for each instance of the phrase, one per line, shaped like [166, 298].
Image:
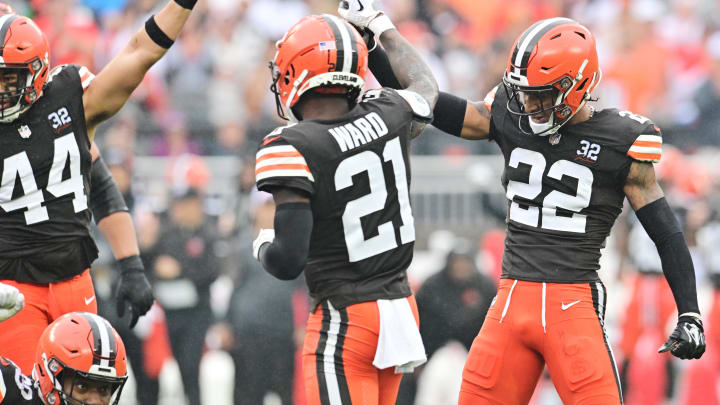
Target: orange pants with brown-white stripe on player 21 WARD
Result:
[338, 352]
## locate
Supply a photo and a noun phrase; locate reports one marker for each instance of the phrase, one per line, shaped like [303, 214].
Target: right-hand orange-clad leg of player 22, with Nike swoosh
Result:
[578, 355]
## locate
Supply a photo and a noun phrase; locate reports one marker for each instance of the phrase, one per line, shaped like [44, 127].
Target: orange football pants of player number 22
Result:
[530, 325]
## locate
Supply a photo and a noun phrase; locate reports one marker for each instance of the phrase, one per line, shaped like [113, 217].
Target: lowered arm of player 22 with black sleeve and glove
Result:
[647, 199]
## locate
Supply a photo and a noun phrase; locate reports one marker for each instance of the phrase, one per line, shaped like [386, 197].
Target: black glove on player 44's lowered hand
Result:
[133, 289]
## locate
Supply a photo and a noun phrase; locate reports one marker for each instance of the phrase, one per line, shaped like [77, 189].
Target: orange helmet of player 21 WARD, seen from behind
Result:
[321, 52]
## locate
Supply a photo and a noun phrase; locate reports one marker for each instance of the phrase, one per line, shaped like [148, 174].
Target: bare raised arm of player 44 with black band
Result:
[111, 88]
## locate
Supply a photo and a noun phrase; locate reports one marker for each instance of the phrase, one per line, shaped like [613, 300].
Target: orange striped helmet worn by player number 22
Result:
[556, 55]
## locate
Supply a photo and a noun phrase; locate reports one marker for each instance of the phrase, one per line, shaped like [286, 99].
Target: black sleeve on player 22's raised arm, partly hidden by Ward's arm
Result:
[449, 111]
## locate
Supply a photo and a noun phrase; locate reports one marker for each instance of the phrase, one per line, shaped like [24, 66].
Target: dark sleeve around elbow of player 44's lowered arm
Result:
[105, 197]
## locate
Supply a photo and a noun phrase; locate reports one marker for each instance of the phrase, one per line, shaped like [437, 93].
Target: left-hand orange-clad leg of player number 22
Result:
[501, 367]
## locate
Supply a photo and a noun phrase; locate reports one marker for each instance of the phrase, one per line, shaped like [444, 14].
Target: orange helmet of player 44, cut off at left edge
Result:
[25, 51]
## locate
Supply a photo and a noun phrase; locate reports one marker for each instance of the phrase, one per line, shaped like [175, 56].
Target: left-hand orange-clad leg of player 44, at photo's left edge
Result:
[19, 335]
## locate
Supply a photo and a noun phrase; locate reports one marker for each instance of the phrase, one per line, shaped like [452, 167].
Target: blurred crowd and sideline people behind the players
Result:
[182, 151]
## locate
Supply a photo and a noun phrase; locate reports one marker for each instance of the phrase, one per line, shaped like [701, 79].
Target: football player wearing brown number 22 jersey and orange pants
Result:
[568, 169]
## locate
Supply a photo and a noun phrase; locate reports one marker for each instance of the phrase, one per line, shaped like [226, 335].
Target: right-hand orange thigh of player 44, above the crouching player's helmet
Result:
[76, 294]
